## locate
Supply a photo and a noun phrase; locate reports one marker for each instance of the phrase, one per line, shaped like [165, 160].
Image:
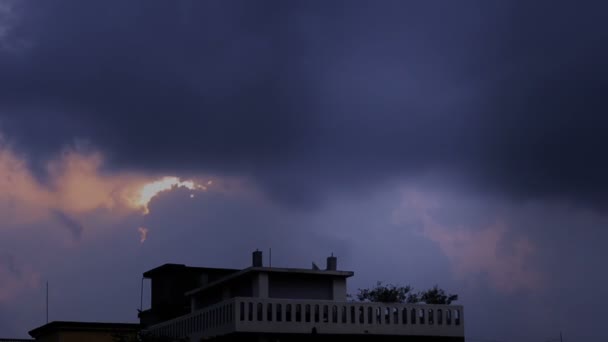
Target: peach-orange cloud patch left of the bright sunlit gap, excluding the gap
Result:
[75, 185]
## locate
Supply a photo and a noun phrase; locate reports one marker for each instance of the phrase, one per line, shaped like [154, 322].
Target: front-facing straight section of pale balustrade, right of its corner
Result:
[288, 316]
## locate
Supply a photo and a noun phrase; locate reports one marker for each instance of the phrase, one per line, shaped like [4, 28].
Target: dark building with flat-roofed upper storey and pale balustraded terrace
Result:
[283, 304]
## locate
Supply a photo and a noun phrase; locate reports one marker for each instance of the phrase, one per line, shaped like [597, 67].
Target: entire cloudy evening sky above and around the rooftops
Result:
[457, 143]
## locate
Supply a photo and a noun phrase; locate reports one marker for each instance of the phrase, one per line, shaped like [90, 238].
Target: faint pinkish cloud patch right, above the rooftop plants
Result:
[475, 251]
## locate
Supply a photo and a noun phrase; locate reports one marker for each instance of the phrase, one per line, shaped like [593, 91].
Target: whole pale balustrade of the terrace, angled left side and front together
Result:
[286, 316]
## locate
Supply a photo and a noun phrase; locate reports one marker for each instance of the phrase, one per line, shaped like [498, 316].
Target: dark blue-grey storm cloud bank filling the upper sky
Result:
[305, 96]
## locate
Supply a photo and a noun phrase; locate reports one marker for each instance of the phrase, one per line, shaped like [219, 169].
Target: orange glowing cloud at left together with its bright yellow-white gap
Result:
[77, 185]
